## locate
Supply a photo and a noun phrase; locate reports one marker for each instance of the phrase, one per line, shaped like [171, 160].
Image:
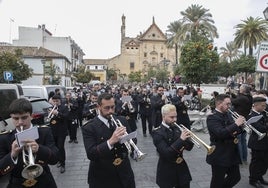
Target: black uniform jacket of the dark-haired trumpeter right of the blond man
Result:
[223, 134]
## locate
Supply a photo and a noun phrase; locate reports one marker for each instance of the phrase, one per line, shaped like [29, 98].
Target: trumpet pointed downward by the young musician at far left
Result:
[32, 170]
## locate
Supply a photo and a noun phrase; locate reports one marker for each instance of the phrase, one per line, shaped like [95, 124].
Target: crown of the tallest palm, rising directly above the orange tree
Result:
[197, 20]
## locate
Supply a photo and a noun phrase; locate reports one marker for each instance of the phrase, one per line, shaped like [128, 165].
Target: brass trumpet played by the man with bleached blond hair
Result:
[196, 140]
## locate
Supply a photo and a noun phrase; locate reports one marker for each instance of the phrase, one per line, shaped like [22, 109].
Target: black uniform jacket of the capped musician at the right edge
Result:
[261, 126]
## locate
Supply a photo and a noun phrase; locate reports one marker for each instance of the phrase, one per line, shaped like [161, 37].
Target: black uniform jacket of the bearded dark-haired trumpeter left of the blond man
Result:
[102, 169]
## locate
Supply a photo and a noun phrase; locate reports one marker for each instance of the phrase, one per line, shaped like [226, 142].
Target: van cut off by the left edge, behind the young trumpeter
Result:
[8, 93]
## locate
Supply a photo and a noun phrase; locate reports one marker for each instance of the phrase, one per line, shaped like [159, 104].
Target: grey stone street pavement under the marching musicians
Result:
[145, 170]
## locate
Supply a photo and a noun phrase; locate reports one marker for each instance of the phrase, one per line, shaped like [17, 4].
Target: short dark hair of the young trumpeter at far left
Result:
[20, 106]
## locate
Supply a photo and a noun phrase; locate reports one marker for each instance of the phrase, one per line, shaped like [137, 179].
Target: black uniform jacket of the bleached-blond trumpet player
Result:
[170, 148]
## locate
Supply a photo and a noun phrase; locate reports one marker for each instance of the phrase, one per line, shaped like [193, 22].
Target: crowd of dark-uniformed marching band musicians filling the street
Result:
[108, 115]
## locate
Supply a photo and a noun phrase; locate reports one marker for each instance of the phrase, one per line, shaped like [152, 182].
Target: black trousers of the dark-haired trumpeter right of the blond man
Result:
[224, 177]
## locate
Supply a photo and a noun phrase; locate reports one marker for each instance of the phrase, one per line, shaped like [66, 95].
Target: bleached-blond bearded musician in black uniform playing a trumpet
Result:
[170, 141]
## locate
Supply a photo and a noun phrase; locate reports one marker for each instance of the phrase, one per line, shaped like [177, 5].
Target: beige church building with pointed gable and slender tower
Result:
[146, 51]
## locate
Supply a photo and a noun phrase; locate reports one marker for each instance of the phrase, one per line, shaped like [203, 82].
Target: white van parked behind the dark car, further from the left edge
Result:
[42, 91]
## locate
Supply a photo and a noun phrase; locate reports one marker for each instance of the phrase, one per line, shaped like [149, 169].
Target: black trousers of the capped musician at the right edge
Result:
[258, 164]
